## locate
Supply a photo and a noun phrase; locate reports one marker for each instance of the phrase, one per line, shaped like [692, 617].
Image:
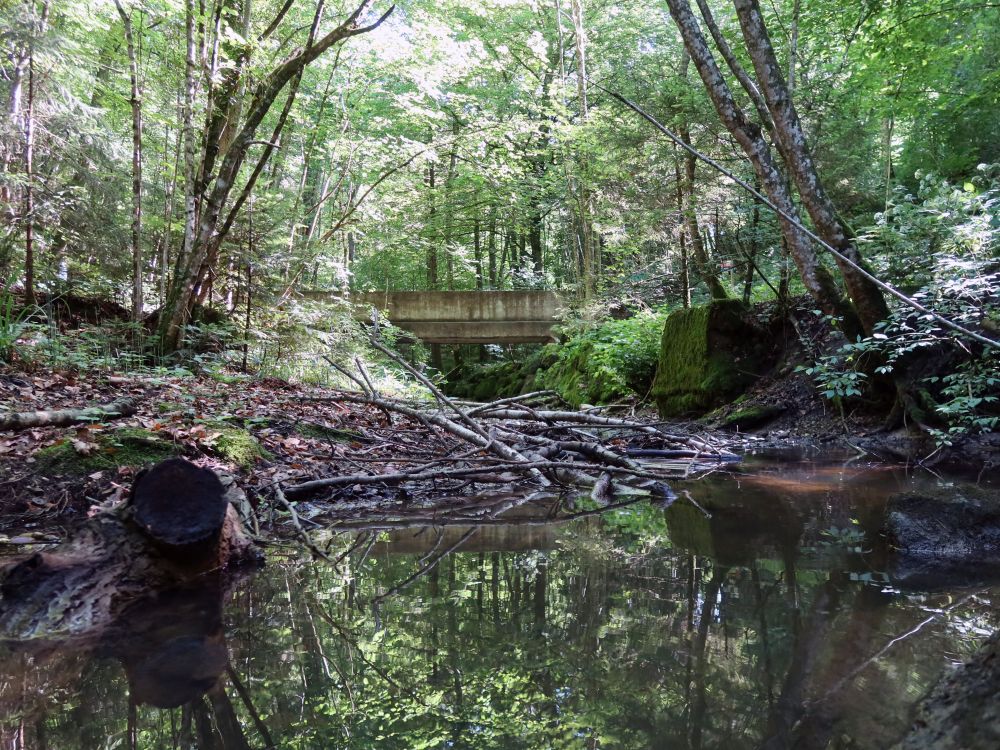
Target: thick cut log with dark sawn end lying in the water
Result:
[179, 524]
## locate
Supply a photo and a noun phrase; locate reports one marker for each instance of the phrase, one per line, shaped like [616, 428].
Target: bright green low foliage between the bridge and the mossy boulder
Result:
[607, 362]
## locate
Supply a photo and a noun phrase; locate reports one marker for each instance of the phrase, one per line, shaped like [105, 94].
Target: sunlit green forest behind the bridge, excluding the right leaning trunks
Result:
[229, 155]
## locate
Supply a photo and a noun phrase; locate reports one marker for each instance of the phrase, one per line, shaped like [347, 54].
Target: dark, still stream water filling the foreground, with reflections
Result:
[779, 622]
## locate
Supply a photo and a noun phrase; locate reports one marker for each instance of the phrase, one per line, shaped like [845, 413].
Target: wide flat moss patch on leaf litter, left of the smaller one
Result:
[128, 446]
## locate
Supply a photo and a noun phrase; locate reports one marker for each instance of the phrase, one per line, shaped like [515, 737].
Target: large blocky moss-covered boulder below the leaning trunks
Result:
[708, 355]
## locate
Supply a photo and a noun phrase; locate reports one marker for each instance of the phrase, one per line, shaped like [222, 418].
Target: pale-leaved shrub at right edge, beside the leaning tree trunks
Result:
[945, 244]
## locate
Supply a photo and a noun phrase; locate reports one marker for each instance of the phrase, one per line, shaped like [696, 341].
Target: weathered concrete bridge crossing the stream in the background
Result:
[513, 317]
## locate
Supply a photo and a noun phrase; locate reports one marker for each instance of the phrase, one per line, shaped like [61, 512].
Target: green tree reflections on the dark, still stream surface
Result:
[611, 639]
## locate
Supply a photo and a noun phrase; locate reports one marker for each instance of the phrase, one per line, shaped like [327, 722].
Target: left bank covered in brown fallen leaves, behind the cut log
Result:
[264, 431]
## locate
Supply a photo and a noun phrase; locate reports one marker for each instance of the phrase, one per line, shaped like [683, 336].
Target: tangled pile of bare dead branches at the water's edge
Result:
[448, 450]
